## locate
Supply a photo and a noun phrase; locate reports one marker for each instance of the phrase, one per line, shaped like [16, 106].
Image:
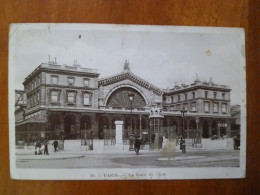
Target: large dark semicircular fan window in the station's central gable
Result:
[120, 98]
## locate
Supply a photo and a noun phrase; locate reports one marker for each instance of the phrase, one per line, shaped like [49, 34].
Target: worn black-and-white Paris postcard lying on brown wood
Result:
[126, 102]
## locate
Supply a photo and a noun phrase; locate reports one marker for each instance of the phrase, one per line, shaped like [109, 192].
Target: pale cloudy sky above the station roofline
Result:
[162, 55]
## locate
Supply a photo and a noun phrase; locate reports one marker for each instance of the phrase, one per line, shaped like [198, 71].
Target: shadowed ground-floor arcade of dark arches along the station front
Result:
[70, 125]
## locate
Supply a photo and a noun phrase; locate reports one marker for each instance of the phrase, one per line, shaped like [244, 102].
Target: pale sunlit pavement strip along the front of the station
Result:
[74, 150]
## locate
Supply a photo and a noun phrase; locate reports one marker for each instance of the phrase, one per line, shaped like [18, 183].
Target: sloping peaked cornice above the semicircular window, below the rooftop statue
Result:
[128, 75]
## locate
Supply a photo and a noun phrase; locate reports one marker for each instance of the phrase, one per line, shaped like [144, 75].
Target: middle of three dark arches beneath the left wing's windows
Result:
[70, 126]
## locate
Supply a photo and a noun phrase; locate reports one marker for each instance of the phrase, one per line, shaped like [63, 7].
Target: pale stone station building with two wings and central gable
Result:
[61, 99]
